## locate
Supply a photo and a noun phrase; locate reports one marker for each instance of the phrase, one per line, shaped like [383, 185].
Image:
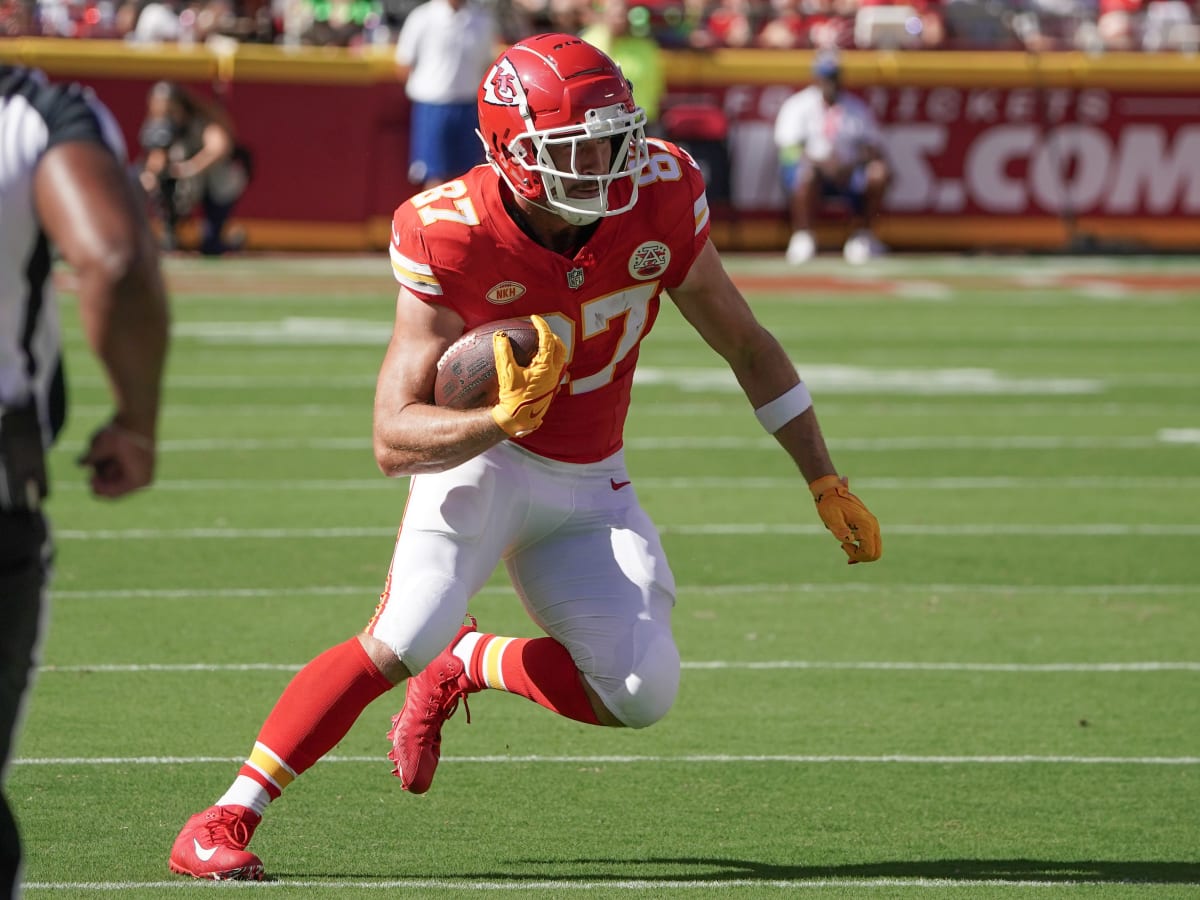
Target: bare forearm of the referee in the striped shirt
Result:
[127, 321]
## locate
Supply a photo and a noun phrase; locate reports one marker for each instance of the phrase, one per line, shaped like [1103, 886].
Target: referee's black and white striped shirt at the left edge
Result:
[35, 117]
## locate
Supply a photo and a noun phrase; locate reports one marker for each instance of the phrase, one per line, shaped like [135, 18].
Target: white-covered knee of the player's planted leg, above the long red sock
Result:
[421, 619]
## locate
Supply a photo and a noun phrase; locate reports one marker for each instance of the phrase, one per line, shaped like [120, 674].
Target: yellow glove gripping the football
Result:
[526, 393]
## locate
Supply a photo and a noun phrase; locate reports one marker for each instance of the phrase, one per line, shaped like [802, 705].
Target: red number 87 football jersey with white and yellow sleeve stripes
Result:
[457, 247]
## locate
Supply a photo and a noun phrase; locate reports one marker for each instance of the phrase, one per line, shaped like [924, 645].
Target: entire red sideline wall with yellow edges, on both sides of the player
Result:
[992, 151]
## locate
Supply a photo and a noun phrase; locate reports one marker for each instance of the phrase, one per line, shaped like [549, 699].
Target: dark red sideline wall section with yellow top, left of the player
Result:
[328, 129]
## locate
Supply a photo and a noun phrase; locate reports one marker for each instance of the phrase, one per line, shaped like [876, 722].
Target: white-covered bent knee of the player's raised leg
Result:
[649, 691]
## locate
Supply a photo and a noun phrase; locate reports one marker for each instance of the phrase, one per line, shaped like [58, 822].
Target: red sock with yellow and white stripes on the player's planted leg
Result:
[314, 713]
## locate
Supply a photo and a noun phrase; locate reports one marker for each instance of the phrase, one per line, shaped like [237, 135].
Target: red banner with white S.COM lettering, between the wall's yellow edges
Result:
[1007, 152]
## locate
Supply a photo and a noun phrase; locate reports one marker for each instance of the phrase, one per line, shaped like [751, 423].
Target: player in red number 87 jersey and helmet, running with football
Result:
[581, 224]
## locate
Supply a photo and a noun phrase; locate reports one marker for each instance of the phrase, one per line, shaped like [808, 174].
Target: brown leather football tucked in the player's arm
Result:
[466, 375]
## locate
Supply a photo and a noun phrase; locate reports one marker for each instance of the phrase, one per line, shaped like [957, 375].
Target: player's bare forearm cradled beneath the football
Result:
[423, 439]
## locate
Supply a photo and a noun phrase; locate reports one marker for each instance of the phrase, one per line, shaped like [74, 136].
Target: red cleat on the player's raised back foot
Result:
[433, 697]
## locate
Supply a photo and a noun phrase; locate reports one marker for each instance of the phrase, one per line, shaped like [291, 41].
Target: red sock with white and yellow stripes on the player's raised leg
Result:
[539, 669]
